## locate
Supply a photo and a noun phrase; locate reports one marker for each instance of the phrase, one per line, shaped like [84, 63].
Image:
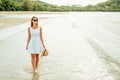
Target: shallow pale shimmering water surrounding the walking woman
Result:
[81, 45]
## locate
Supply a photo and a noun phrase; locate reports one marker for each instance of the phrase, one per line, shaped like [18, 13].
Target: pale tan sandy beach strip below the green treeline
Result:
[5, 22]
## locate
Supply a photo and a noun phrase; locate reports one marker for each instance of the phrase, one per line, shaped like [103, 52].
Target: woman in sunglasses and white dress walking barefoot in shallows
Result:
[34, 41]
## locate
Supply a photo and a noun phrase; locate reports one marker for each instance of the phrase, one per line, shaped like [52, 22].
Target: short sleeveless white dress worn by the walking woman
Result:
[34, 46]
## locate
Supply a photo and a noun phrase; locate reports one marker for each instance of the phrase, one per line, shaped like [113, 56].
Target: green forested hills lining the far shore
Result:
[29, 5]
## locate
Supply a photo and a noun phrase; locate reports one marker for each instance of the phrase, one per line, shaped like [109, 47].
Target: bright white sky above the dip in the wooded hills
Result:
[74, 2]
